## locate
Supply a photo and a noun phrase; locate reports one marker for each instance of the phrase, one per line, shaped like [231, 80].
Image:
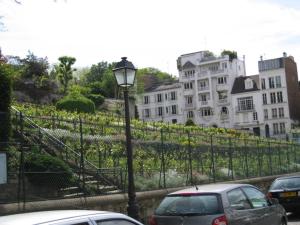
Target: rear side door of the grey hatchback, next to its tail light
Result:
[239, 211]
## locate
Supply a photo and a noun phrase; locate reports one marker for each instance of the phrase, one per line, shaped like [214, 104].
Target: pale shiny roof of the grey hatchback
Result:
[210, 188]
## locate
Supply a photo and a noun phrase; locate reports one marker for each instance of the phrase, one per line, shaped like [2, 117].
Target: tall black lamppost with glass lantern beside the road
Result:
[125, 75]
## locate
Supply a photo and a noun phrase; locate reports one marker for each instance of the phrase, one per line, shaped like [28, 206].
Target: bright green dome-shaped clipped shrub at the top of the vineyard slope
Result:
[75, 102]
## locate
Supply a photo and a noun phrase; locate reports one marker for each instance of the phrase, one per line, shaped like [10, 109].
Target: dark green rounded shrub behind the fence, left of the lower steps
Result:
[45, 170]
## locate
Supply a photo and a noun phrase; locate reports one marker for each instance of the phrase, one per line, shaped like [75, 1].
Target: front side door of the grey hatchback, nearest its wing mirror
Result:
[260, 206]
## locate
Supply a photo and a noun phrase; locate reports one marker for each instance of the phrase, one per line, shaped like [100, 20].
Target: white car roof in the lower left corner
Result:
[51, 216]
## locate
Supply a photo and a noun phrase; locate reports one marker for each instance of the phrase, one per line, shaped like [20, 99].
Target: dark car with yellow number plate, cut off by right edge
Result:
[287, 191]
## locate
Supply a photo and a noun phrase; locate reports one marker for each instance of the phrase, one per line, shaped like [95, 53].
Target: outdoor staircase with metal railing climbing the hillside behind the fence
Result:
[91, 179]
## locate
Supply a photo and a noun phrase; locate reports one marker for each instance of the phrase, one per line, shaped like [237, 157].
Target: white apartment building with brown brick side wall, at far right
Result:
[280, 95]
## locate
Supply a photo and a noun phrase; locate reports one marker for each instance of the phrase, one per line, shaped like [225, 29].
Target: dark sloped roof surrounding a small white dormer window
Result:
[239, 84]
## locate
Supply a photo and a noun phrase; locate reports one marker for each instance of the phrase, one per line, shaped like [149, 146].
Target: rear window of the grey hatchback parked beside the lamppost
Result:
[189, 205]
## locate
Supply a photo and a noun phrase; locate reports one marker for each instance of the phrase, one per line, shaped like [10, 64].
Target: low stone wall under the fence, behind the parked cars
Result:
[147, 201]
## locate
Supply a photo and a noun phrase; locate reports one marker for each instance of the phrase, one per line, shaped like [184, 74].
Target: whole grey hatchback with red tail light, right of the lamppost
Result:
[219, 204]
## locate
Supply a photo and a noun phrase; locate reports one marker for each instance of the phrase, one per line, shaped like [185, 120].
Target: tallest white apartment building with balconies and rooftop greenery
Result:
[207, 82]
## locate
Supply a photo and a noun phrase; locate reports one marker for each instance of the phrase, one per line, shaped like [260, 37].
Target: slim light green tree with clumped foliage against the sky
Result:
[65, 71]
